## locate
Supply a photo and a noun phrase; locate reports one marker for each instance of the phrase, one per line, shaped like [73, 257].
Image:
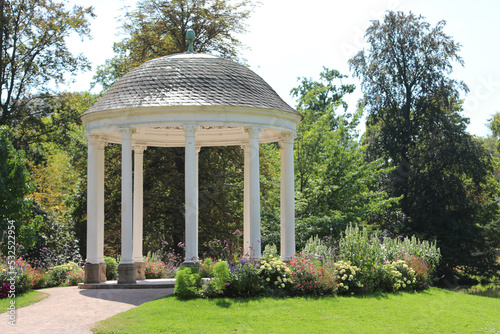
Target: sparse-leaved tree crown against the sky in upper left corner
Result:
[33, 51]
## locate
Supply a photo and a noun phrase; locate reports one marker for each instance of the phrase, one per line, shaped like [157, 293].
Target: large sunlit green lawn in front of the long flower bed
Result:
[430, 311]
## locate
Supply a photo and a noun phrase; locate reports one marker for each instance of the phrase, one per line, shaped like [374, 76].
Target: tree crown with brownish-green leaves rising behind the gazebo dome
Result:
[158, 28]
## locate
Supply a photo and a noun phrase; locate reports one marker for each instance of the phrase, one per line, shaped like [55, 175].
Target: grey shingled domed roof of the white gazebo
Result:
[190, 79]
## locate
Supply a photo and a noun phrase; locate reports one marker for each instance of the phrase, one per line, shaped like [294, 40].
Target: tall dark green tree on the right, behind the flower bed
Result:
[414, 123]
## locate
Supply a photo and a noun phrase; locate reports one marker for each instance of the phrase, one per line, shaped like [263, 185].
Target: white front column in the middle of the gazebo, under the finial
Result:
[191, 197]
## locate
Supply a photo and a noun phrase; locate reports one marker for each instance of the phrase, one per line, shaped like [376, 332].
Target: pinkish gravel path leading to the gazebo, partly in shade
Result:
[72, 310]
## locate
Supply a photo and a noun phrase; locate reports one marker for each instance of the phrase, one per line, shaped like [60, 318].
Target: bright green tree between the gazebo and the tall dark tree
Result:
[334, 184]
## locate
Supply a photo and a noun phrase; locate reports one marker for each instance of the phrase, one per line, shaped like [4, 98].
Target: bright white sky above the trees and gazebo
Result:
[291, 39]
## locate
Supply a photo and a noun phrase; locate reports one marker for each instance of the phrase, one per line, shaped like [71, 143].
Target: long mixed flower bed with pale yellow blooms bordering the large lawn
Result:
[358, 263]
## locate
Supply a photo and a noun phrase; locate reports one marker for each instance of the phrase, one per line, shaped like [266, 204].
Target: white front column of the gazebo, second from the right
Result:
[254, 192]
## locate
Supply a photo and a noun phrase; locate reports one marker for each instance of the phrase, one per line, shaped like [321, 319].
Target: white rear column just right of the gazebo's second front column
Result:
[138, 202]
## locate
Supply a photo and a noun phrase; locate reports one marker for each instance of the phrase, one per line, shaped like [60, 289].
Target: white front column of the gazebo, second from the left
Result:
[127, 197]
